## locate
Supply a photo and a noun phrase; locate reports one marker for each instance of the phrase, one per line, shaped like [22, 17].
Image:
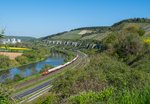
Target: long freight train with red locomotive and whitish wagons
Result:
[59, 67]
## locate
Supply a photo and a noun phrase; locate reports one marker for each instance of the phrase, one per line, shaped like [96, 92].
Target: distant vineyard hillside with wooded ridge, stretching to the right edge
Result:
[98, 33]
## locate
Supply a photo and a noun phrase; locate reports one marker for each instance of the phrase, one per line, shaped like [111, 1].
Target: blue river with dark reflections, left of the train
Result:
[32, 69]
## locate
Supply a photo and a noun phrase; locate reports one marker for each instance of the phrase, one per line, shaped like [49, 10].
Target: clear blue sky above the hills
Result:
[38, 18]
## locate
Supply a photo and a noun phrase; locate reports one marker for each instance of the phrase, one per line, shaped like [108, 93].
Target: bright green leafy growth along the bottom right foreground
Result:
[112, 96]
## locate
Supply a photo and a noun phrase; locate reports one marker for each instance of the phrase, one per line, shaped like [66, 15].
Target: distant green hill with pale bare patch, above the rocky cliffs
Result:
[95, 33]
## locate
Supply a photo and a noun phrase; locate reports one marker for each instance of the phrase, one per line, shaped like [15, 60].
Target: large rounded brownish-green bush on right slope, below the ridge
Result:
[125, 45]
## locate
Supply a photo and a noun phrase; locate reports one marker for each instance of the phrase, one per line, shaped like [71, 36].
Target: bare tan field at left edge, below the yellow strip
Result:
[11, 55]
